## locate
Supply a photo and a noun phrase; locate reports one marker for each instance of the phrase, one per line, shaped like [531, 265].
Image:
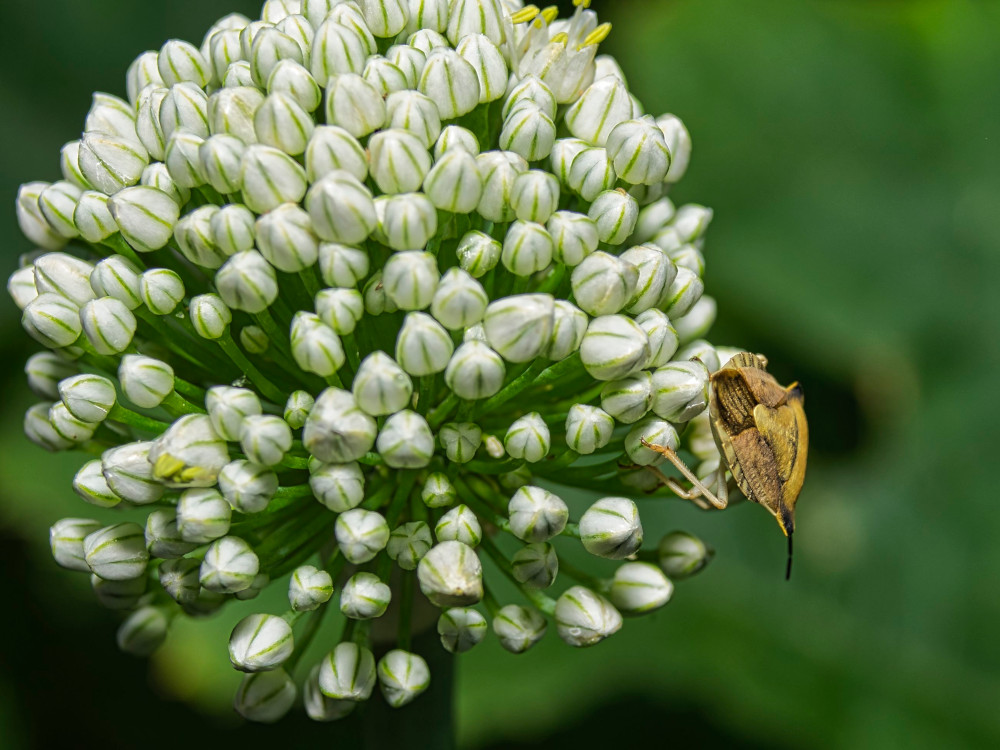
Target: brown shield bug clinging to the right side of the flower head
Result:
[763, 439]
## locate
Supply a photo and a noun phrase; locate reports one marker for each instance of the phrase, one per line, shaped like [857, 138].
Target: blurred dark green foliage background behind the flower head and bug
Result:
[850, 150]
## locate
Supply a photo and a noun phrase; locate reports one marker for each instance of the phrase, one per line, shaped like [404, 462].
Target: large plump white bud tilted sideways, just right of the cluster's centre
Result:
[519, 327]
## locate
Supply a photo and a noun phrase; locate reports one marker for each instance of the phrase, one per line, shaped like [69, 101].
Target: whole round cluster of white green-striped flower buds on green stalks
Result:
[345, 296]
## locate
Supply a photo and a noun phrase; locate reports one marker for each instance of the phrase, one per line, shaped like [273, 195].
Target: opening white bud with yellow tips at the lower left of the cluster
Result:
[189, 454]
